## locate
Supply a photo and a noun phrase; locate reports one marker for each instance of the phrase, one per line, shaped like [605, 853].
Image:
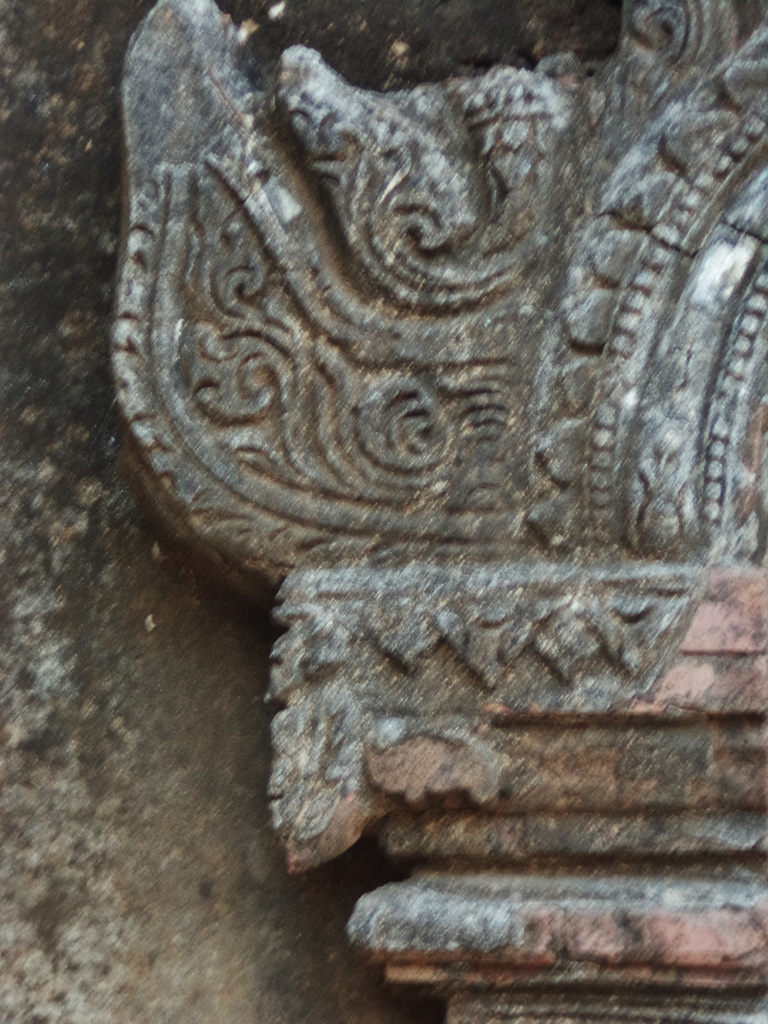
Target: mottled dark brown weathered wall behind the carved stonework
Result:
[139, 878]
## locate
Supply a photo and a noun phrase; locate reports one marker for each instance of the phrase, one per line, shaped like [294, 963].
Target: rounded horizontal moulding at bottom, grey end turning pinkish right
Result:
[568, 930]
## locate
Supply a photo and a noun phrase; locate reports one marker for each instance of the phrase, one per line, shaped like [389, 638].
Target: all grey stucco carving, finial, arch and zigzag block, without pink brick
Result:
[460, 385]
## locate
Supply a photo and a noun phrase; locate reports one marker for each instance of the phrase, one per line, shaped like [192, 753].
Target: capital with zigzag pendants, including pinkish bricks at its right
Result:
[415, 688]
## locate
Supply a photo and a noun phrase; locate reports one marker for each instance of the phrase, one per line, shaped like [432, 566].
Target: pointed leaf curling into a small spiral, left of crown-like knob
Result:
[402, 188]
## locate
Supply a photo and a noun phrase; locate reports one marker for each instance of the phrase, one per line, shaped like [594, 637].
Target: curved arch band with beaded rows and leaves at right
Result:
[662, 259]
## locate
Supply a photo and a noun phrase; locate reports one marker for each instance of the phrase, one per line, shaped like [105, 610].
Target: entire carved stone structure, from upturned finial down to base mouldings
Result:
[479, 371]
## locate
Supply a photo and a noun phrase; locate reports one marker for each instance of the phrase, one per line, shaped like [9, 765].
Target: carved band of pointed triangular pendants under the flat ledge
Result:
[487, 617]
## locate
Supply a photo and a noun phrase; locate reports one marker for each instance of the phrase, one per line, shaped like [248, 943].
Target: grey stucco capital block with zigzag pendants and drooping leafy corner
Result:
[391, 668]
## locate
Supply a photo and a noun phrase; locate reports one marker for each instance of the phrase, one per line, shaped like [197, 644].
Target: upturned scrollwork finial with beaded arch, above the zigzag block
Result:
[361, 348]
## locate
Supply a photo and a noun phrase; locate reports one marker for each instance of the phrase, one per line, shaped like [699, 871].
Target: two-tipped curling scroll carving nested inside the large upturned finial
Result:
[433, 189]
